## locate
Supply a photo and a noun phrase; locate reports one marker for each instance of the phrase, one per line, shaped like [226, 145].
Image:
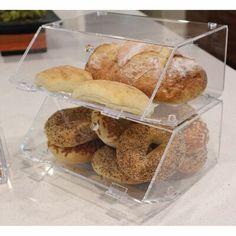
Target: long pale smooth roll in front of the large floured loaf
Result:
[114, 95]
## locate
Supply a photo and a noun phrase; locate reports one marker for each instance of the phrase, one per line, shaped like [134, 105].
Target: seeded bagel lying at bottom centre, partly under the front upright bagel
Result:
[104, 164]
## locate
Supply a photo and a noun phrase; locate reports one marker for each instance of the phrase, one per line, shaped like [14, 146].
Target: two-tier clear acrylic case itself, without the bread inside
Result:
[72, 41]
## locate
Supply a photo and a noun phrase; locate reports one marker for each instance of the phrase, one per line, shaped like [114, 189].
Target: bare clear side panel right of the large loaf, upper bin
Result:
[210, 52]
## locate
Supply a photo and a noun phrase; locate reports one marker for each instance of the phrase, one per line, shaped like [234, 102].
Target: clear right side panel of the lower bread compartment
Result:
[202, 149]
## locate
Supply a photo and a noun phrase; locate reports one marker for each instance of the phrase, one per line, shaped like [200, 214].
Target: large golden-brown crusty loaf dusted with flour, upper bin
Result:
[141, 65]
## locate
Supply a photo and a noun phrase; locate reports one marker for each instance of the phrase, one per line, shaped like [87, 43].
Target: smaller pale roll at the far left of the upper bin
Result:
[62, 78]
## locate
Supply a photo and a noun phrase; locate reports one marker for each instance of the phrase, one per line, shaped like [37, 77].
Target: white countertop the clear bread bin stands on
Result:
[60, 199]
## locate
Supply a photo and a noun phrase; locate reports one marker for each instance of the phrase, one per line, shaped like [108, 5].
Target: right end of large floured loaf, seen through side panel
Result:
[184, 81]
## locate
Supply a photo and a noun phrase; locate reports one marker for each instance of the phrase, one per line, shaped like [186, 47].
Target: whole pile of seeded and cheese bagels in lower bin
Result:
[123, 151]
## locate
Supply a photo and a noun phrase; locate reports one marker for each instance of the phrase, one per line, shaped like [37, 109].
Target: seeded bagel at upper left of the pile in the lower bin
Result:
[70, 127]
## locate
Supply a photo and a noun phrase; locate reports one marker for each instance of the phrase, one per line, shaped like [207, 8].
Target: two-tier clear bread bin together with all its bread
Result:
[154, 85]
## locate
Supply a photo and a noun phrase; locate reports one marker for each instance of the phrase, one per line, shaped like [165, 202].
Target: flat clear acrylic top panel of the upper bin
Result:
[141, 28]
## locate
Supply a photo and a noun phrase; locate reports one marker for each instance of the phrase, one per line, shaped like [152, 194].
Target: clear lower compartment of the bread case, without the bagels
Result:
[35, 147]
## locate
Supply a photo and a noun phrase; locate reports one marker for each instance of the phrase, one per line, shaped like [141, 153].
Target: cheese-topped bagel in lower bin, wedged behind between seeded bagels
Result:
[108, 129]
